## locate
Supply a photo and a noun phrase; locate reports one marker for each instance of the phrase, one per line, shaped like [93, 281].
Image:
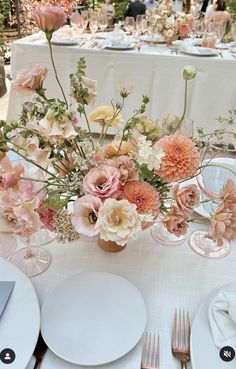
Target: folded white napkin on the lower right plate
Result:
[222, 318]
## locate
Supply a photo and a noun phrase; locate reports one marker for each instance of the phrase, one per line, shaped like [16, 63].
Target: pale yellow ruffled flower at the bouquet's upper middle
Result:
[104, 115]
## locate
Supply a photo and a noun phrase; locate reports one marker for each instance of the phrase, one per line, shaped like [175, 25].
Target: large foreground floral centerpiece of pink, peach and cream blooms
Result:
[86, 186]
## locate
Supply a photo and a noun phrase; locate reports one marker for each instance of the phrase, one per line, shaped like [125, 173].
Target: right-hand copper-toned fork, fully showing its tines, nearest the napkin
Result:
[181, 337]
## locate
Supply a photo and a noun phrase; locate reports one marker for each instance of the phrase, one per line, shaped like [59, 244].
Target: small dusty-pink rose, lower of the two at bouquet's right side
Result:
[176, 222]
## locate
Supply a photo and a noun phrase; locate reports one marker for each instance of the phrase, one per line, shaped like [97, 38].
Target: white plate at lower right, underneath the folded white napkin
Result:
[204, 352]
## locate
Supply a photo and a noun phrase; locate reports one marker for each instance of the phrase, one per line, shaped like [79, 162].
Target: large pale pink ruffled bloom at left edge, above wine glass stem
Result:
[18, 216]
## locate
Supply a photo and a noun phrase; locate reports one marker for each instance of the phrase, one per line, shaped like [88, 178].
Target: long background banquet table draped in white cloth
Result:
[154, 71]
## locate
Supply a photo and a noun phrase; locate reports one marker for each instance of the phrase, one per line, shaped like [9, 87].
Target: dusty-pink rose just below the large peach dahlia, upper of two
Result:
[187, 198]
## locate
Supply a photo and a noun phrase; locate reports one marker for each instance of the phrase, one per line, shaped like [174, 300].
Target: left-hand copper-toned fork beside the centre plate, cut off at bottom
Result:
[151, 352]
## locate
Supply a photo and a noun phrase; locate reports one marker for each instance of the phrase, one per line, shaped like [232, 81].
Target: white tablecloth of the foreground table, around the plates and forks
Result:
[167, 277]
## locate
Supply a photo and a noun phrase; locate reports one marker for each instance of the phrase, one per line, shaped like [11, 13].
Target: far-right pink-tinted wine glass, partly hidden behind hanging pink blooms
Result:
[220, 171]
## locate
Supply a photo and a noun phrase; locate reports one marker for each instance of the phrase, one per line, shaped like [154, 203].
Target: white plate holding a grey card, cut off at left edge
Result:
[20, 322]
